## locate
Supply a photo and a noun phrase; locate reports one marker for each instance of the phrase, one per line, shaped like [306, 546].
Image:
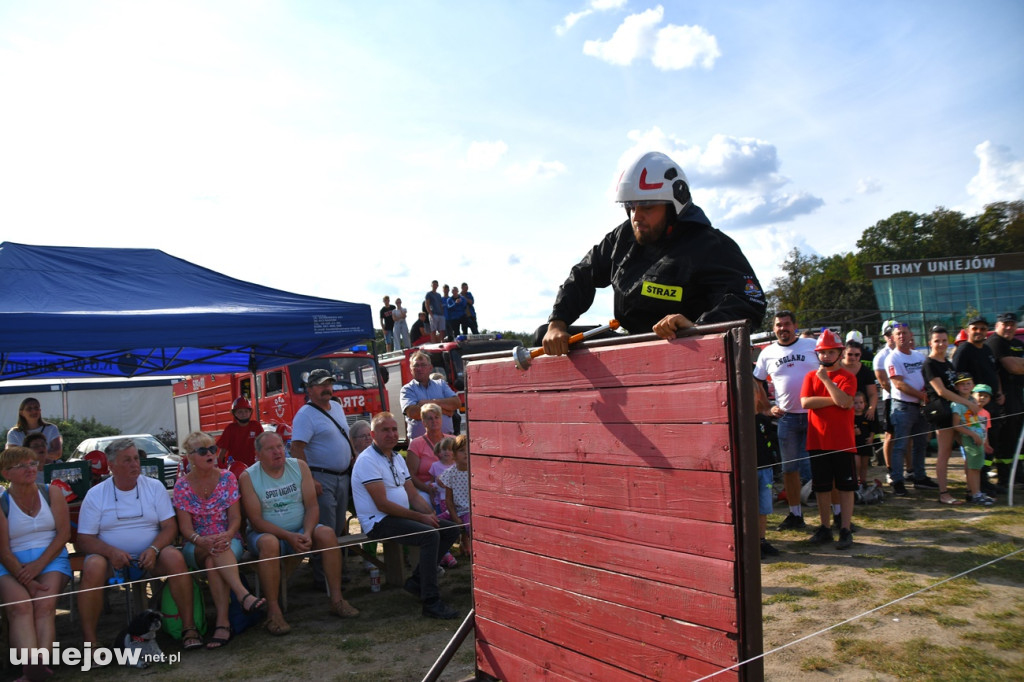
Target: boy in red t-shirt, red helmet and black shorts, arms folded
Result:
[828, 396]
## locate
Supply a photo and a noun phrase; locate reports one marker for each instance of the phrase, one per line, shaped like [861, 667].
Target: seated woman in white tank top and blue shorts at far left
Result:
[34, 530]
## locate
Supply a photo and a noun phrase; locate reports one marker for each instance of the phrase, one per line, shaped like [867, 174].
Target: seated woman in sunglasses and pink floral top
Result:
[206, 502]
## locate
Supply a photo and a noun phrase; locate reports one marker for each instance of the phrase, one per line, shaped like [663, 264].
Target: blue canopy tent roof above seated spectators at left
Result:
[70, 312]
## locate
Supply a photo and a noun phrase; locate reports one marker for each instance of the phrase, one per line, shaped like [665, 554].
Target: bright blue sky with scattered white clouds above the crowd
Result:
[355, 150]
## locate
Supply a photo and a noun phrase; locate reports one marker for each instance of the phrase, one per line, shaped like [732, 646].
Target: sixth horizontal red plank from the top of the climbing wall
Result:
[690, 571]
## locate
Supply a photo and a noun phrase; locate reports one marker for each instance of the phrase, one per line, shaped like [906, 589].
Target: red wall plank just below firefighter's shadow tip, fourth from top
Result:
[698, 495]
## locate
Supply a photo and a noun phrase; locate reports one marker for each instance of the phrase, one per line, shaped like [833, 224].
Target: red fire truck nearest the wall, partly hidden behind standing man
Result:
[447, 358]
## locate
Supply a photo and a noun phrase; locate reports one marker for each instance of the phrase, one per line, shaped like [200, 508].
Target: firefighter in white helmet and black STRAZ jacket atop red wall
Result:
[669, 269]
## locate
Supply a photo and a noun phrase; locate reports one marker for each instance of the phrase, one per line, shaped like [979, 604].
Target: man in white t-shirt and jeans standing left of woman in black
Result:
[904, 367]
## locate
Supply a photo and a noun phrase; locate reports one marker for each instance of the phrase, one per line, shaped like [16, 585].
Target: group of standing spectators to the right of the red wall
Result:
[830, 408]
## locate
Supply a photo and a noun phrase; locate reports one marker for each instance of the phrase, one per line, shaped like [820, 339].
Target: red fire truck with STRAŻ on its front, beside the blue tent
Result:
[204, 403]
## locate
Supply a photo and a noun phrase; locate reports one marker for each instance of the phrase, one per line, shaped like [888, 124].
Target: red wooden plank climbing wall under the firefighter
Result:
[609, 513]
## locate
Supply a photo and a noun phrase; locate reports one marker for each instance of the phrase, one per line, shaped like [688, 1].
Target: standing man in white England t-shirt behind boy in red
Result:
[787, 363]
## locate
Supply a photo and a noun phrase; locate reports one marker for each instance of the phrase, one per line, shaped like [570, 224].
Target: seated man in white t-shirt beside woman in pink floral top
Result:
[126, 519]
